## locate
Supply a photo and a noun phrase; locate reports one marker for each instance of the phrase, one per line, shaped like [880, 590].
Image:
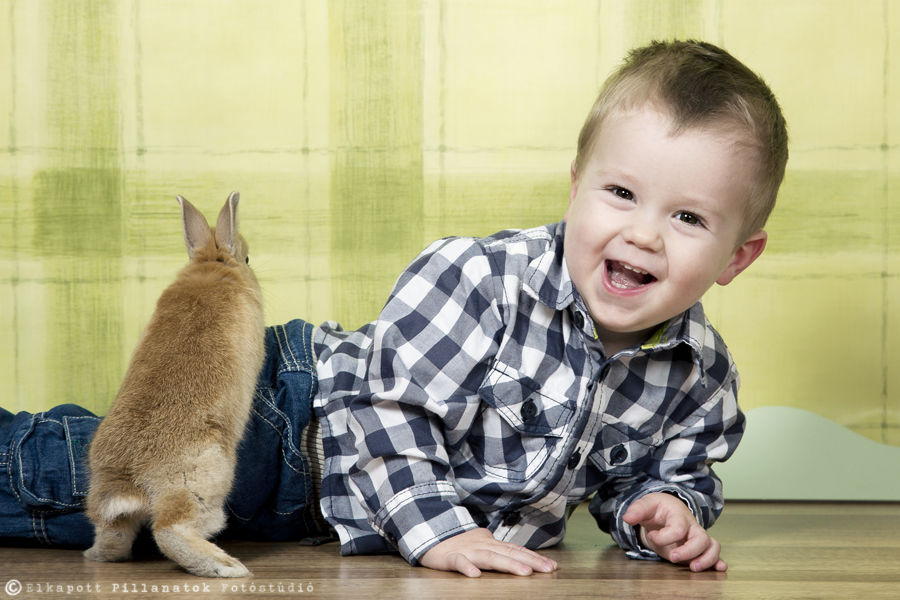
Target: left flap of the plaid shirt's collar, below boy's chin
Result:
[547, 278]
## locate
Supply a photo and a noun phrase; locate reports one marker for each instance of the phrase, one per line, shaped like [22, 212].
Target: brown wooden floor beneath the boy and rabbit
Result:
[774, 550]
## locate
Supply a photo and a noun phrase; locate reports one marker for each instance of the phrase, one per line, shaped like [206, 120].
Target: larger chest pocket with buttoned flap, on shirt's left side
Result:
[519, 427]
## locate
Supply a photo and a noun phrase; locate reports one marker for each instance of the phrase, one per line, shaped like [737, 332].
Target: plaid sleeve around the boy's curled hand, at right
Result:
[679, 466]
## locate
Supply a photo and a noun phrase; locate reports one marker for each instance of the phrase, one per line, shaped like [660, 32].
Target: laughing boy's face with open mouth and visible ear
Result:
[653, 222]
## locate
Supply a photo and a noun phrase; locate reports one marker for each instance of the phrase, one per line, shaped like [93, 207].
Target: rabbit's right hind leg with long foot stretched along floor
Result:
[181, 524]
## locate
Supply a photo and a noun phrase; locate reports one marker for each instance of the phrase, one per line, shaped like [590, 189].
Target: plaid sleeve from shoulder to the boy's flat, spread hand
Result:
[432, 346]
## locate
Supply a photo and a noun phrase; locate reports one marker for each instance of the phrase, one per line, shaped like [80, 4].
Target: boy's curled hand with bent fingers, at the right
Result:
[668, 528]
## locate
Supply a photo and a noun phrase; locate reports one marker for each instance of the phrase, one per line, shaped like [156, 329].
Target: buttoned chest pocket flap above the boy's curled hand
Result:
[621, 450]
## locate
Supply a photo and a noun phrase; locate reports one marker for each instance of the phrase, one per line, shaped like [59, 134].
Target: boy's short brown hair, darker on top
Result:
[700, 86]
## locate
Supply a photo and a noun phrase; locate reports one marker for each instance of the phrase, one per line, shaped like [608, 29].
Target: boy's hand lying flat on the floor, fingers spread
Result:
[476, 549]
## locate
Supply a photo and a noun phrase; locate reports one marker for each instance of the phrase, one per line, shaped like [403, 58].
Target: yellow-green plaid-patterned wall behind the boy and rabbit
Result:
[359, 131]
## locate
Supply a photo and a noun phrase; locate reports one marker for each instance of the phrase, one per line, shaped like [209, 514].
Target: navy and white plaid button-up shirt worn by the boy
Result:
[482, 398]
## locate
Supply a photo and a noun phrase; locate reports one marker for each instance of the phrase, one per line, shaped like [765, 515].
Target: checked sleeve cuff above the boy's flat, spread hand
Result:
[420, 517]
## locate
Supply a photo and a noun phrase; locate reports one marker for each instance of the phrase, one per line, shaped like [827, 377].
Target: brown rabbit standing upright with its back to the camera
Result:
[166, 452]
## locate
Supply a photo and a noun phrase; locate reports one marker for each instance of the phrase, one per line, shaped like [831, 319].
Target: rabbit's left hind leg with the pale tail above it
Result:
[117, 520]
